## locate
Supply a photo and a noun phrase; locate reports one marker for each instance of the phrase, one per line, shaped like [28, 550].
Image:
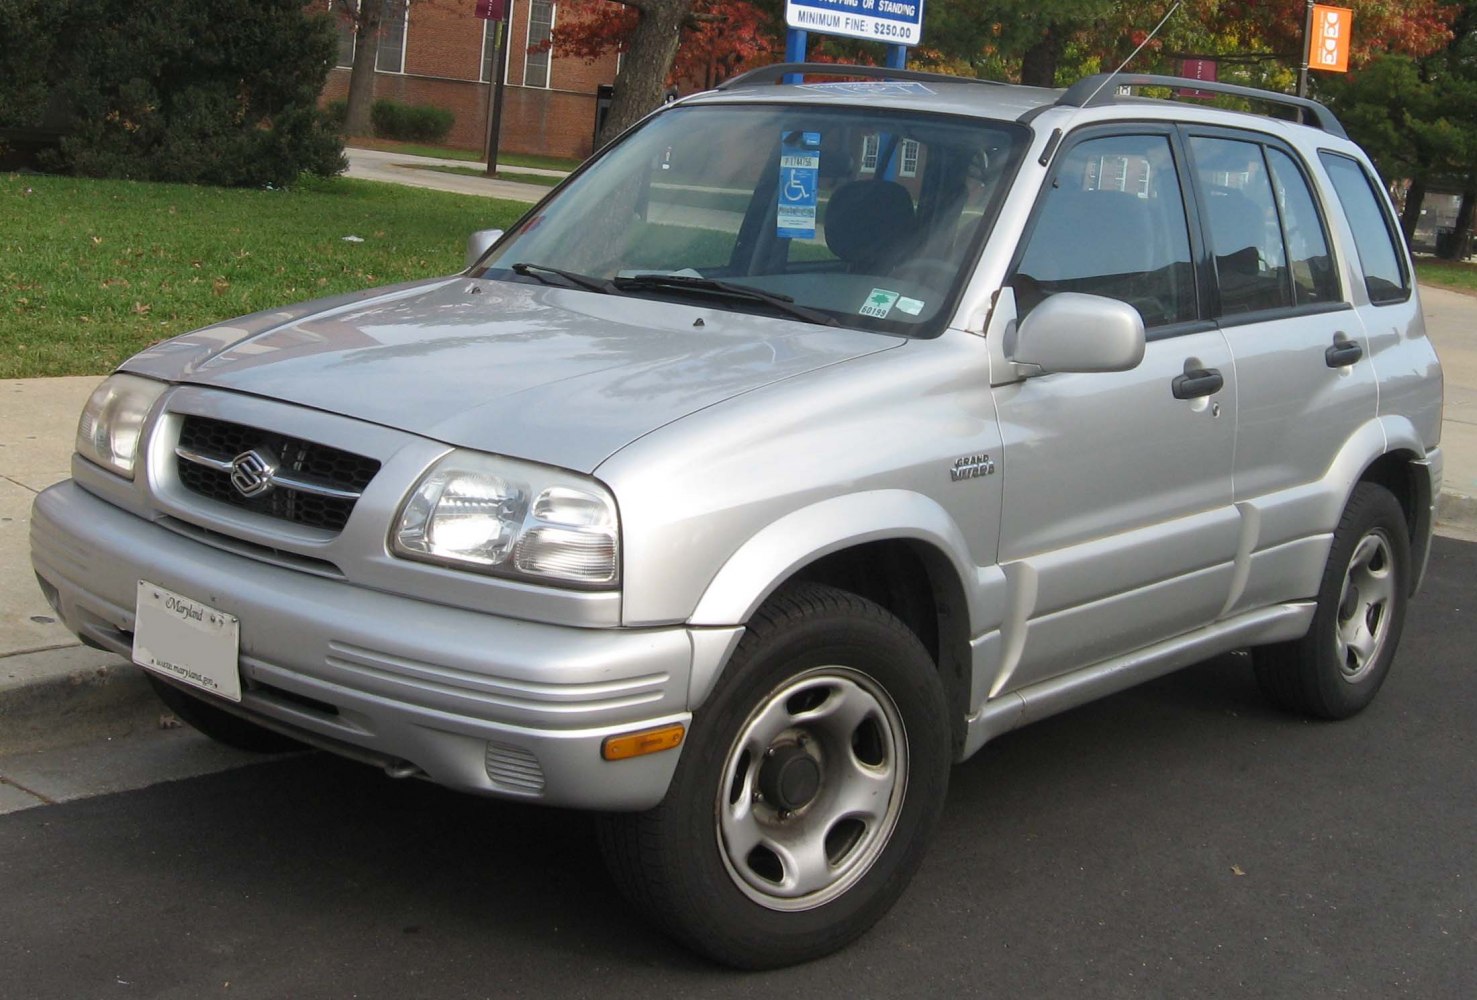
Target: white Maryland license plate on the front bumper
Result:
[187, 640]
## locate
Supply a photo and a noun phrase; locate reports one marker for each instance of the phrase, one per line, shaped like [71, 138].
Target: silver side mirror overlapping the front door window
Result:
[1076, 333]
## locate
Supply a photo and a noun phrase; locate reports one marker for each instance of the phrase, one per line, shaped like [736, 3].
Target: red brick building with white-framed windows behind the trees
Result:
[438, 52]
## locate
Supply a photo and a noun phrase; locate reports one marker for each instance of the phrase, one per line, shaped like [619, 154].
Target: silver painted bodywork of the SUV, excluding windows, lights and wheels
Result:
[1123, 534]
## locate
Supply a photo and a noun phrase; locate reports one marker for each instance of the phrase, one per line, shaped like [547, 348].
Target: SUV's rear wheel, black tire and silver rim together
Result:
[1337, 668]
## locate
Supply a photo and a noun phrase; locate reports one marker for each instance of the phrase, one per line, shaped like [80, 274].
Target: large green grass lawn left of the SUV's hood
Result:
[94, 271]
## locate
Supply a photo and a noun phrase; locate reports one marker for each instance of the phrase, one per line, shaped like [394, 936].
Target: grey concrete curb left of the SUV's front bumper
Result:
[63, 696]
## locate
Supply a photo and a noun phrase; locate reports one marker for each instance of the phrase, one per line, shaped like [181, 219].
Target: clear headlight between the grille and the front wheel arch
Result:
[512, 519]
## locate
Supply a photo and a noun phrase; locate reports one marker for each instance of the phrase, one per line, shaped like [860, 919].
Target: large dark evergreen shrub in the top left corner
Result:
[212, 92]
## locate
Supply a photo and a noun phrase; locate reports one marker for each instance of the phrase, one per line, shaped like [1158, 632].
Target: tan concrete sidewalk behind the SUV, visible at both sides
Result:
[54, 691]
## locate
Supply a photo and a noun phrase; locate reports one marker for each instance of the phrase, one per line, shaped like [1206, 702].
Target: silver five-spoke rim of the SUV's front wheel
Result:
[853, 733]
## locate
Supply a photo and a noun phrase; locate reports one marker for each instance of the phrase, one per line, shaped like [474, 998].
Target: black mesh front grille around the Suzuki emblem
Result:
[317, 485]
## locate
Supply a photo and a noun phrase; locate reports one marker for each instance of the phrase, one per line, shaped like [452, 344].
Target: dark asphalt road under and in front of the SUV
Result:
[1181, 840]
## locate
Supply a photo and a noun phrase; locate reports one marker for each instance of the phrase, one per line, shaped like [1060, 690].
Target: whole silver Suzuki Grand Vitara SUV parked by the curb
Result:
[807, 439]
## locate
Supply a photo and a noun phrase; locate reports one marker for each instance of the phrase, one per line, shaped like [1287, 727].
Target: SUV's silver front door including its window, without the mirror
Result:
[1117, 525]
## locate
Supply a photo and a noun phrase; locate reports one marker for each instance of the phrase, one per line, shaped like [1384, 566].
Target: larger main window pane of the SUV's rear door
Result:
[1246, 234]
